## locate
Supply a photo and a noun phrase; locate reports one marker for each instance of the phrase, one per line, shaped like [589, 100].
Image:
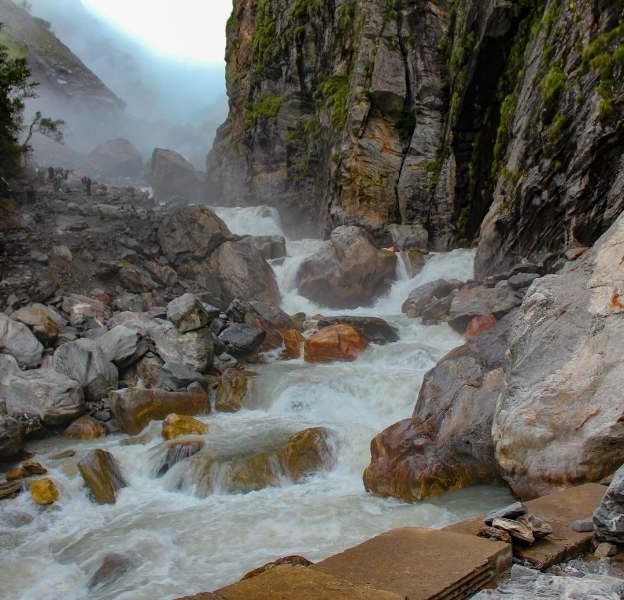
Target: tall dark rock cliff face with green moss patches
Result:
[496, 117]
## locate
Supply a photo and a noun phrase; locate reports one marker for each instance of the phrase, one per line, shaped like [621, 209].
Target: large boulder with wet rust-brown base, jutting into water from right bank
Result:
[446, 444]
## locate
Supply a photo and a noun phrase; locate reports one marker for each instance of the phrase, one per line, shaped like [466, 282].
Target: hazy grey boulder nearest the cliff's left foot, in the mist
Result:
[175, 180]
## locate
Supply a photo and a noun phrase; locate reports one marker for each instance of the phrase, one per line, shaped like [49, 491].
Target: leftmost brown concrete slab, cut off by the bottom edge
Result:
[297, 583]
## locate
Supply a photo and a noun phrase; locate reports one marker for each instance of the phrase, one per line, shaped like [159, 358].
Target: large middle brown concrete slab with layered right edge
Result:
[422, 564]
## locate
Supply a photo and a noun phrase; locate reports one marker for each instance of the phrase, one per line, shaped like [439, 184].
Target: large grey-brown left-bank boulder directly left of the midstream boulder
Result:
[244, 273]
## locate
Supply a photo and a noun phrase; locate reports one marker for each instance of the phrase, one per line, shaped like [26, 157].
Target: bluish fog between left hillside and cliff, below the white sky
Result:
[170, 102]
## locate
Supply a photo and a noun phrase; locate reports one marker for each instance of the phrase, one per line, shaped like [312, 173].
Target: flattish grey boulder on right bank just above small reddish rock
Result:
[470, 302]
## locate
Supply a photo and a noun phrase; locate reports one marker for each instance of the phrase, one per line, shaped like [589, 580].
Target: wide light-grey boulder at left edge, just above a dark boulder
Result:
[43, 393]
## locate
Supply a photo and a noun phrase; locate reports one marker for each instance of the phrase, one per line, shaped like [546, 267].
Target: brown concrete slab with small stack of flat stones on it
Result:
[559, 509]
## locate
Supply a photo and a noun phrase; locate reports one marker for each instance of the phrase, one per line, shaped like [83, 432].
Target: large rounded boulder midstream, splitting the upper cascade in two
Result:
[349, 271]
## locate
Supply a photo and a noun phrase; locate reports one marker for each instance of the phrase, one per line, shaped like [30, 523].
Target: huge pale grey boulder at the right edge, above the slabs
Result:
[559, 420]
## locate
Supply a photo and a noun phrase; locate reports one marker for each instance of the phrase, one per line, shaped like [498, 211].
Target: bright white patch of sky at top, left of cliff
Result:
[187, 29]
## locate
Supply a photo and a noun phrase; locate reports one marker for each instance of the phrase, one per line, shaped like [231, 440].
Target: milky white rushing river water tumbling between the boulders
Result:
[181, 544]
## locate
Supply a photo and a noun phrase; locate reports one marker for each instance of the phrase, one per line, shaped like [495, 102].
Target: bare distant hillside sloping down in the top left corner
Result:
[58, 70]
